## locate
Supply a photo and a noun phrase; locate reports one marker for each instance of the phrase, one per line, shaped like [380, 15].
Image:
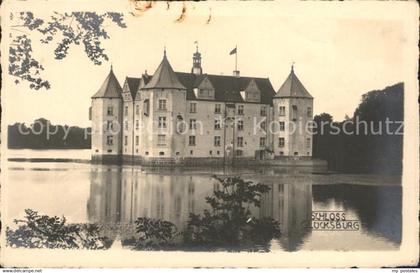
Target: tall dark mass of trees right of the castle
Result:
[370, 152]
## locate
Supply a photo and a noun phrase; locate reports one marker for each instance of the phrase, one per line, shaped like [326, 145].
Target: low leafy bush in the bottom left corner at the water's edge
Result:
[42, 231]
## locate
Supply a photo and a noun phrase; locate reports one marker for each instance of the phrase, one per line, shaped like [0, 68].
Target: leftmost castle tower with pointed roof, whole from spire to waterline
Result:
[106, 121]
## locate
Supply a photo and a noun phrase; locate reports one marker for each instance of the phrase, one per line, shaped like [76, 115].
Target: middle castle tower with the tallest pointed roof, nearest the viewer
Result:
[163, 104]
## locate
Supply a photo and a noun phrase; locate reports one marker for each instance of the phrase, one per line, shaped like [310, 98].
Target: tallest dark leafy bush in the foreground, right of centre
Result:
[229, 223]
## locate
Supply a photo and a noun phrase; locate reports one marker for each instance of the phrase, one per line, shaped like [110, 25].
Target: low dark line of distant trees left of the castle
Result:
[44, 135]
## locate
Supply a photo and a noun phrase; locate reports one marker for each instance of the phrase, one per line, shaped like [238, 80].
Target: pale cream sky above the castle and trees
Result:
[339, 53]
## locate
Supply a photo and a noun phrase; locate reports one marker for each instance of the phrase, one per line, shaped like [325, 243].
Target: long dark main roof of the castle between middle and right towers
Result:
[227, 88]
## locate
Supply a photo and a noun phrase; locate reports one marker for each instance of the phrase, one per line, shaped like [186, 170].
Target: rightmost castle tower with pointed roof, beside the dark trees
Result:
[293, 108]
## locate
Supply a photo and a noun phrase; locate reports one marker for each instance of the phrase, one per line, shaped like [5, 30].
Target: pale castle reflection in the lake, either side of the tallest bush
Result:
[118, 196]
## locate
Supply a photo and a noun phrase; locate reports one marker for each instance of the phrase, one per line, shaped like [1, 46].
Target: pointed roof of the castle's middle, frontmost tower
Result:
[164, 77]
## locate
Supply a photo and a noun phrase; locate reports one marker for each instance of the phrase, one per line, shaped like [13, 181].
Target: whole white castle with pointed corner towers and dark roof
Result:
[178, 117]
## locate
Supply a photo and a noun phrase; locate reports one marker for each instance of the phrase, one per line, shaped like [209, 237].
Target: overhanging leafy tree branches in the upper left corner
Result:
[67, 29]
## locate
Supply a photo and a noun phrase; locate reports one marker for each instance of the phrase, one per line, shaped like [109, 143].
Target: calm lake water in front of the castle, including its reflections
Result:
[116, 195]
